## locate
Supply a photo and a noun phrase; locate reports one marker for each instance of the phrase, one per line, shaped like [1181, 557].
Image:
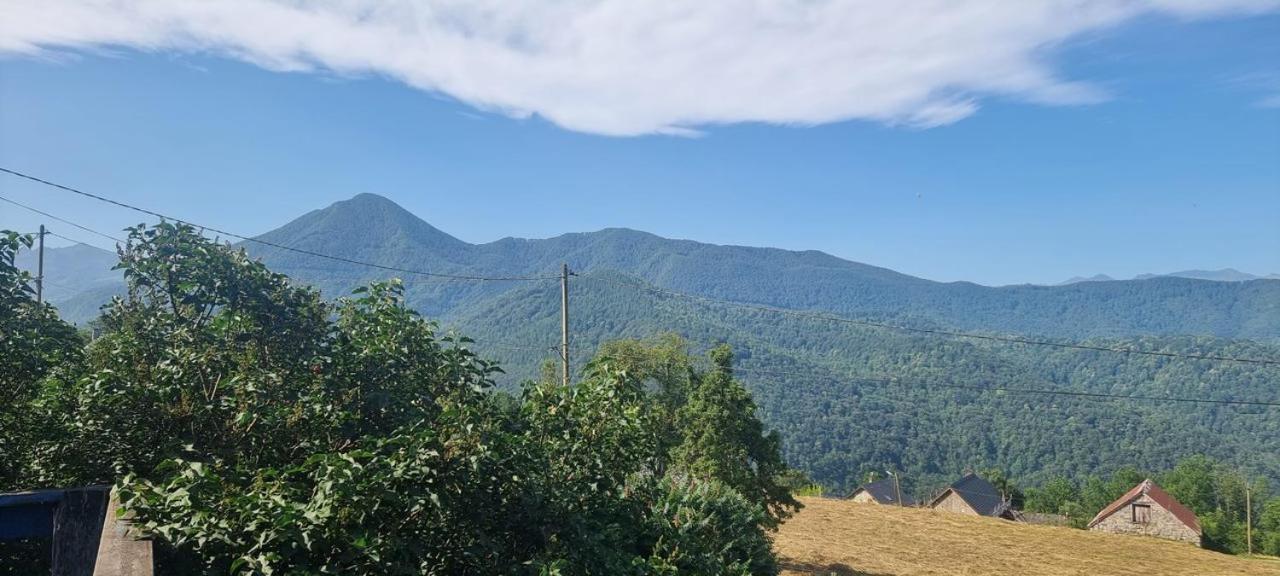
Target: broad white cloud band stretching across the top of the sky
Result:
[633, 67]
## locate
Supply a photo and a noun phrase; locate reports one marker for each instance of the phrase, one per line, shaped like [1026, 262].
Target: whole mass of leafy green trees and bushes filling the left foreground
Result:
[250, 427]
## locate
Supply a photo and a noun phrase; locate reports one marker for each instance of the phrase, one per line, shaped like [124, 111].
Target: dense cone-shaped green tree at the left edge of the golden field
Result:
[725, 441]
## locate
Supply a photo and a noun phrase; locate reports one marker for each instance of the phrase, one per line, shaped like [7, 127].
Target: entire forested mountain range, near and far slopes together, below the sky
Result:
[847, 399]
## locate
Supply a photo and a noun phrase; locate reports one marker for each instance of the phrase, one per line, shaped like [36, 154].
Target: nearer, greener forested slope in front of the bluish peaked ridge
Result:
[825, 387]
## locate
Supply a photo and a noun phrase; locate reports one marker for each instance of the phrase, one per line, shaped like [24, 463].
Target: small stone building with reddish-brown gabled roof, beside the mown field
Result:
[1148, 510]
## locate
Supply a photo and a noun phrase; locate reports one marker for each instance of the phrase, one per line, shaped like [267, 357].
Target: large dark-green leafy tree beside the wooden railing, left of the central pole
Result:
[253, 428]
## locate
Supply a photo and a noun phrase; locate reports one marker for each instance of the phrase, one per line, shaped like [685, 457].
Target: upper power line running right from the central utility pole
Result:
[948, 333]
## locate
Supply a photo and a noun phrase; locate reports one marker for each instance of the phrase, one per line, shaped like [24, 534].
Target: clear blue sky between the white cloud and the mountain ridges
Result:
[1172, 163]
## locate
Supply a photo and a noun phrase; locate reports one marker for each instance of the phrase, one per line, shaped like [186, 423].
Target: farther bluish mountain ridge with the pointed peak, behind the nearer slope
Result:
[376, 230]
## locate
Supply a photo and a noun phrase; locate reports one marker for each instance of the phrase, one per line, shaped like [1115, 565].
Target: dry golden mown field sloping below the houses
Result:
[842, 538]
